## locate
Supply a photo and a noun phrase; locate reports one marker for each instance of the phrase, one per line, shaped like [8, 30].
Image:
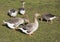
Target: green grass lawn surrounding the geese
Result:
[46, 32]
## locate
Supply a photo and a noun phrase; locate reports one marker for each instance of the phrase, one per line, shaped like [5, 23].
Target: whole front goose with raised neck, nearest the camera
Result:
[30, 27]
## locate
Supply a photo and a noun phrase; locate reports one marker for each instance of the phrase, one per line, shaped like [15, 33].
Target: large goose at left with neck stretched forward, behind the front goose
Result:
[15, 22]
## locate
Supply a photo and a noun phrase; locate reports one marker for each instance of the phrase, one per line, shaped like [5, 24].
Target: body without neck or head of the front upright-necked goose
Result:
[29, 28]
